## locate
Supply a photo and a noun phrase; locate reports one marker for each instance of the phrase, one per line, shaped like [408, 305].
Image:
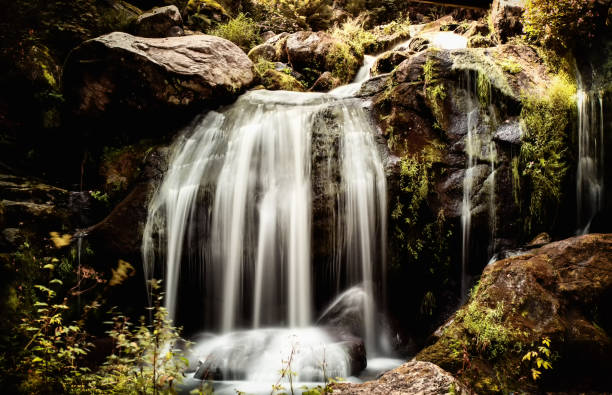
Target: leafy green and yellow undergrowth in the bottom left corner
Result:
[47, 348]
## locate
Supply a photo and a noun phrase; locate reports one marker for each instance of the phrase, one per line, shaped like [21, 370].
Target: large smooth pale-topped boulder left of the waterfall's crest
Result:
[119, 71]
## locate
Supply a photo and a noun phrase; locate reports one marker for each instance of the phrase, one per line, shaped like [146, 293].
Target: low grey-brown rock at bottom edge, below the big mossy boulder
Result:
[414, 377]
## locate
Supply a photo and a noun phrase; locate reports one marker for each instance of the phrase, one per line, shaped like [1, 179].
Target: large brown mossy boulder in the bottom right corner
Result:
[561, 291]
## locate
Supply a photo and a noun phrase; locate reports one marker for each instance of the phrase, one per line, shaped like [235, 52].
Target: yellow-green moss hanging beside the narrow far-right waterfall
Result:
[543, 157]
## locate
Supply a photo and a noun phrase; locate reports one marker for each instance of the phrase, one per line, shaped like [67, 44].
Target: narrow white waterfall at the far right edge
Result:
[590, 173]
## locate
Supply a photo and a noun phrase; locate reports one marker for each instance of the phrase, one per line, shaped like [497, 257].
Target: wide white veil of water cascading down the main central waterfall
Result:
[235, 206]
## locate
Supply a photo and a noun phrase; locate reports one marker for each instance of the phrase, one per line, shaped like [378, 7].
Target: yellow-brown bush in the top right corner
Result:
[563, 23]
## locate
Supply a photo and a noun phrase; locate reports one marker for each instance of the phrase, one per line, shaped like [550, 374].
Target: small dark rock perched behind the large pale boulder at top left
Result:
[158, 22]
